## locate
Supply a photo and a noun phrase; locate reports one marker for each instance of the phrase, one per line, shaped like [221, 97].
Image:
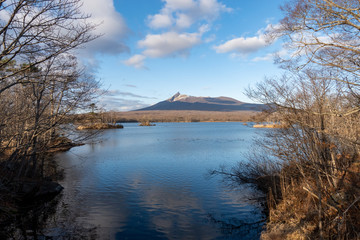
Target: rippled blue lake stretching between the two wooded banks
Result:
[153, 183]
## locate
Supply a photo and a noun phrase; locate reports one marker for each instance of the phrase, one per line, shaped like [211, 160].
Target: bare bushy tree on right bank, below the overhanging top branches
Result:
[318, 153]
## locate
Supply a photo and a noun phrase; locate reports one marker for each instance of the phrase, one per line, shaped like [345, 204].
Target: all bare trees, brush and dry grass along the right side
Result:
[311, 168]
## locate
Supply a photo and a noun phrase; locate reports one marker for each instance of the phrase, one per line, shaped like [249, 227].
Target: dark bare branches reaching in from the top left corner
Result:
[33, 32]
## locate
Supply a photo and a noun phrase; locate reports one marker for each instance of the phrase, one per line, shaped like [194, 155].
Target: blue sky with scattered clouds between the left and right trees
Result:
[151, 49]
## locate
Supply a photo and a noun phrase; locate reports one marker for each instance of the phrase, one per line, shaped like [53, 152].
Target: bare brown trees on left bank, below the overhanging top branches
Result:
[40, 111]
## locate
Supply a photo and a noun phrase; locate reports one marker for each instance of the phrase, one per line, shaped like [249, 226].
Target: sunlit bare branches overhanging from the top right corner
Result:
[323, 34]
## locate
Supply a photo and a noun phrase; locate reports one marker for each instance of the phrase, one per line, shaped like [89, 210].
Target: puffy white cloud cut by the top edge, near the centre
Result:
[183, 14]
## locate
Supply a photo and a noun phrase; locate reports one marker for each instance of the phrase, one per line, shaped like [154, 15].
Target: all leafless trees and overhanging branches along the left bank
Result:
[41, 82]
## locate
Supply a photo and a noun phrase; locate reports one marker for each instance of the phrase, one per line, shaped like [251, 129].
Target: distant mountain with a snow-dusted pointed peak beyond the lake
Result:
[185, 102]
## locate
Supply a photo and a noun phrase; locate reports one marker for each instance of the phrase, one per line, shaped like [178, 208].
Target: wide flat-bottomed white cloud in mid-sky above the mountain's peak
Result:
[169, 44]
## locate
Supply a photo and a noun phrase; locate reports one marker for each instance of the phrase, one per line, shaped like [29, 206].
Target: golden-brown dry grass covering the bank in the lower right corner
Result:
[296, 214]
